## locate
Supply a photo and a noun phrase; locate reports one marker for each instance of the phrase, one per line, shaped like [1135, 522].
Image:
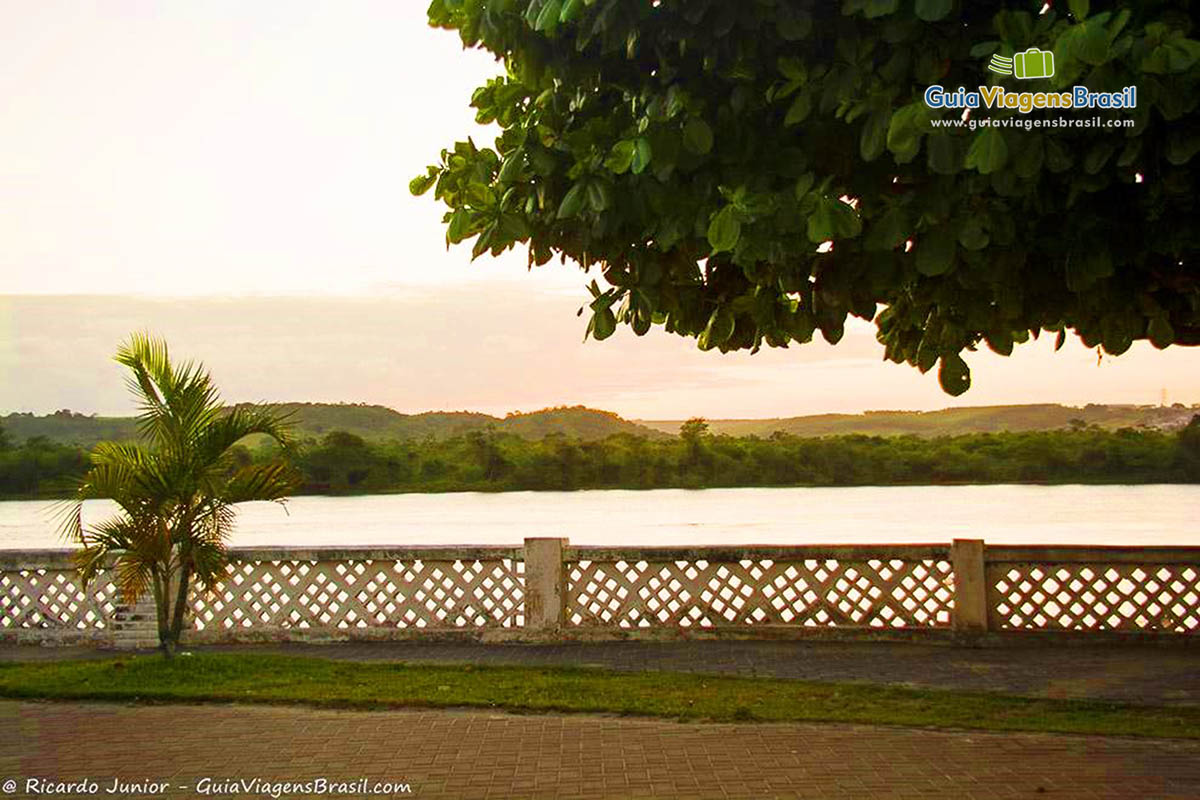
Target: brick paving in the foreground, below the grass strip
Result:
[477, 755]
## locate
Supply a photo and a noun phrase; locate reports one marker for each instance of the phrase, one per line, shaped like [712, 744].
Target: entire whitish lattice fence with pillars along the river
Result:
[406, 591]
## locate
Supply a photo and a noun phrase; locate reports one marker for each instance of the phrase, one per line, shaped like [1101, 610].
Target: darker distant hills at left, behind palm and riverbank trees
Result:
[373, 423]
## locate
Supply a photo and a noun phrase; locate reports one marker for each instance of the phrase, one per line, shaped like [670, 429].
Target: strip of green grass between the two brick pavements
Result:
[381, 685]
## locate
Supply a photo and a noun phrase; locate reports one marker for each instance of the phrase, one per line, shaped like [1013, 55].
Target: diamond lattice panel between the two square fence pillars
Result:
[811, 593]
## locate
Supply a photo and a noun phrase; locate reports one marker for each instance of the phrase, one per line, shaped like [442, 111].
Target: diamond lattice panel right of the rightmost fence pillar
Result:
[1096, 597]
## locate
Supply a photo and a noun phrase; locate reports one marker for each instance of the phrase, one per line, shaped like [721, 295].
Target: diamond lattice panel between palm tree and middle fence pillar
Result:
[367, 594]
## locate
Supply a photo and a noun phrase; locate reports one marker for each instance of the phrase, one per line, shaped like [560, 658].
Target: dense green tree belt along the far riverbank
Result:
[495, 461]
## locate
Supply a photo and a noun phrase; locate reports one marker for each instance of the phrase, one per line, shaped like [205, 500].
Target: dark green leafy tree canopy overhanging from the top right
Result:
[700, 152]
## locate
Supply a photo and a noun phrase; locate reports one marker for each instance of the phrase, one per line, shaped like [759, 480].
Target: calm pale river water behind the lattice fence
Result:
[1085, 515]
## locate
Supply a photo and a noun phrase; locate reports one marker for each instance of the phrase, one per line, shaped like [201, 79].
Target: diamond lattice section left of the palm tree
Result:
[55, 599]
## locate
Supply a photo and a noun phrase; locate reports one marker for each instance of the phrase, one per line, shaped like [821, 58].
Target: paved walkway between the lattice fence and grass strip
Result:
[1151, 675]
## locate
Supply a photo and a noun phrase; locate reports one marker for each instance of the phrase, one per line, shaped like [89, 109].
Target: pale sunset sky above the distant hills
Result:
[233, 177]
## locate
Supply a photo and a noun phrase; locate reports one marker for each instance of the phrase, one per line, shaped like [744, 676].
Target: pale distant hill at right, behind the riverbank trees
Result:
[951, 422]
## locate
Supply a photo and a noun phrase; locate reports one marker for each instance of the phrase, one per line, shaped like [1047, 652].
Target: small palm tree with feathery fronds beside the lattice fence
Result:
[177, 495]
